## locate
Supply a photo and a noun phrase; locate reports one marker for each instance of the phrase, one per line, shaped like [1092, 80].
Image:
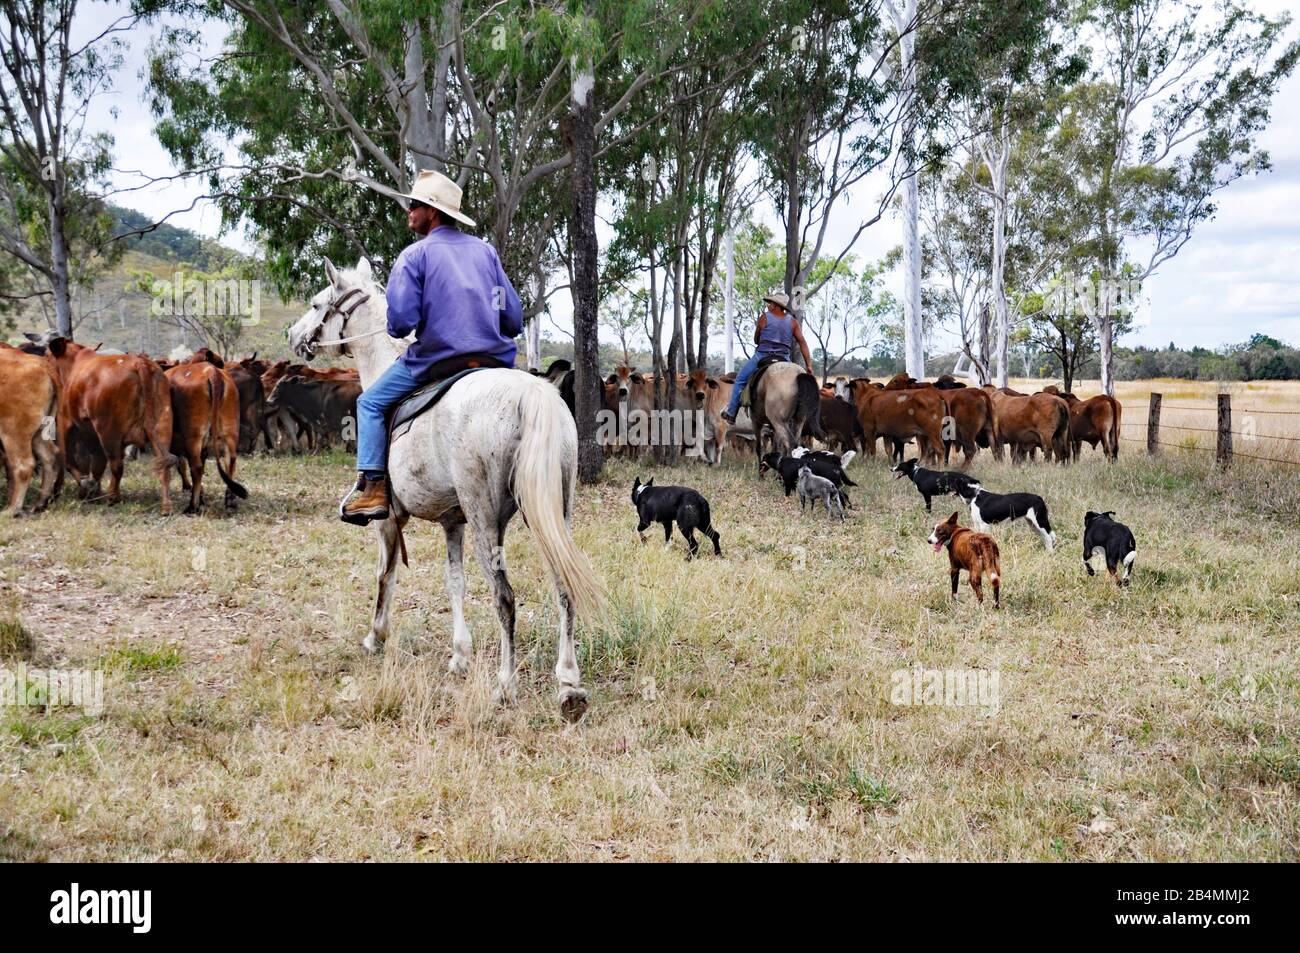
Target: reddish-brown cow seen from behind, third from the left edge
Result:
[206, 422]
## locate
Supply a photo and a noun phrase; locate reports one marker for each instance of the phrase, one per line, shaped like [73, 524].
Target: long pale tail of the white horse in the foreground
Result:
[544, 484]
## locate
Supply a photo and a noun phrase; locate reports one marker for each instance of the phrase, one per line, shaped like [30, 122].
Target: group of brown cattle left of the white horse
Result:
[64, 406]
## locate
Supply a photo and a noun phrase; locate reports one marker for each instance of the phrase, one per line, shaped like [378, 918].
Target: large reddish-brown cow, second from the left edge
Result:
[109, 402]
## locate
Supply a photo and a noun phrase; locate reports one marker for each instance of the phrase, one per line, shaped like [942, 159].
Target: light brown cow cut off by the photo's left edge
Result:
[29, 408]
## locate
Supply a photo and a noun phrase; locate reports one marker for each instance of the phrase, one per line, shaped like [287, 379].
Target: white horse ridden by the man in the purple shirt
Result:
[499, 441]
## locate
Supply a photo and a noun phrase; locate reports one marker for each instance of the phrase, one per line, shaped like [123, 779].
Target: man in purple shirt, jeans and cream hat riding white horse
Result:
[450, 291]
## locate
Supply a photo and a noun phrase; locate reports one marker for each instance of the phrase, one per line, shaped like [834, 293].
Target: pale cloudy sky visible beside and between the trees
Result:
[1238, 275]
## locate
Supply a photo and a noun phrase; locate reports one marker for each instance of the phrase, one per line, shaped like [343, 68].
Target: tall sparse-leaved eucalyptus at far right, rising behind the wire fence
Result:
[1171, 116]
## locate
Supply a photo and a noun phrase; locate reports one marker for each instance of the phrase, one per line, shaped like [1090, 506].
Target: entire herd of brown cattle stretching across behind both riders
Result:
[64, 406]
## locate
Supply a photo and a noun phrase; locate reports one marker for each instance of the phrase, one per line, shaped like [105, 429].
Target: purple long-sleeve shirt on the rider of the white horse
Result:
[450, 289]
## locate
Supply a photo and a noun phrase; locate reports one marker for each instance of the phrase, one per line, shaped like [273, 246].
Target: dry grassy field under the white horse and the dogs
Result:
[740, 707]
